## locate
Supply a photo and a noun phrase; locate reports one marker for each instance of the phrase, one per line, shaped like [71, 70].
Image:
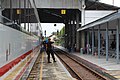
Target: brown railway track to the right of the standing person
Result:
[79, 69]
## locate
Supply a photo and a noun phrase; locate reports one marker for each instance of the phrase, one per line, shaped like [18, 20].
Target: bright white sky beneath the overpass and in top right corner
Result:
[49, 27]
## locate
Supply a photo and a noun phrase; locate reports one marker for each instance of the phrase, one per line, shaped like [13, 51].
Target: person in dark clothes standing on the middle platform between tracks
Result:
[49, 50]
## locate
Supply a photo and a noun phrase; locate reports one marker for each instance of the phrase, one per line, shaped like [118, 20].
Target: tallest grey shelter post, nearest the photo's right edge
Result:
[117, 41]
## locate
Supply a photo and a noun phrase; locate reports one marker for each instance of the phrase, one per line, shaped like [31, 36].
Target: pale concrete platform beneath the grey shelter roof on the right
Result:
[110, 67]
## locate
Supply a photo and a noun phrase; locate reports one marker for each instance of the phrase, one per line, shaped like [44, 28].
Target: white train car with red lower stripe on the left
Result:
[15, 45]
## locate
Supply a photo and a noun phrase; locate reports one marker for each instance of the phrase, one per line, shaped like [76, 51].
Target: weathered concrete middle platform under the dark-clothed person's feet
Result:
[54, 70]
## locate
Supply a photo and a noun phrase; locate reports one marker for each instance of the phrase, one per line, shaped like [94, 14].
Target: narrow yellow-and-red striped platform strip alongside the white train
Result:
[16, 72]
